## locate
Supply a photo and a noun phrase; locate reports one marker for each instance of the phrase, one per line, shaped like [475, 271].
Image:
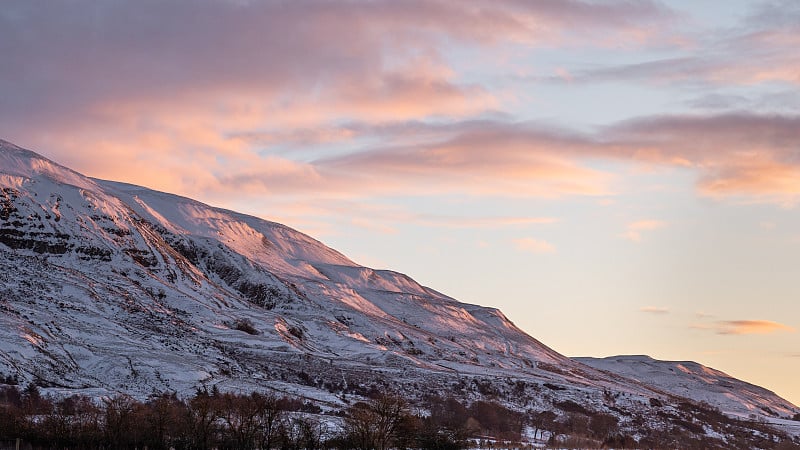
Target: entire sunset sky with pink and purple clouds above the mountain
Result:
[619, 177]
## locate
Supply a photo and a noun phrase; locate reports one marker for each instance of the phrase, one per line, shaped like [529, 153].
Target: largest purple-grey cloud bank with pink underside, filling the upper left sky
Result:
[358, 58]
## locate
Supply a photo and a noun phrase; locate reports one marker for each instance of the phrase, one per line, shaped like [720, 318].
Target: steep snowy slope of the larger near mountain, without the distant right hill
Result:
[134, 265]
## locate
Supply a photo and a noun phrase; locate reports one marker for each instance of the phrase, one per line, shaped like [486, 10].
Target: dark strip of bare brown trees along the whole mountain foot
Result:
[211, 419]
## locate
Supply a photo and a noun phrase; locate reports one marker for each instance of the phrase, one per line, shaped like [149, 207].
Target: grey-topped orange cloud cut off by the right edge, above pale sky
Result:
[735, 154]
